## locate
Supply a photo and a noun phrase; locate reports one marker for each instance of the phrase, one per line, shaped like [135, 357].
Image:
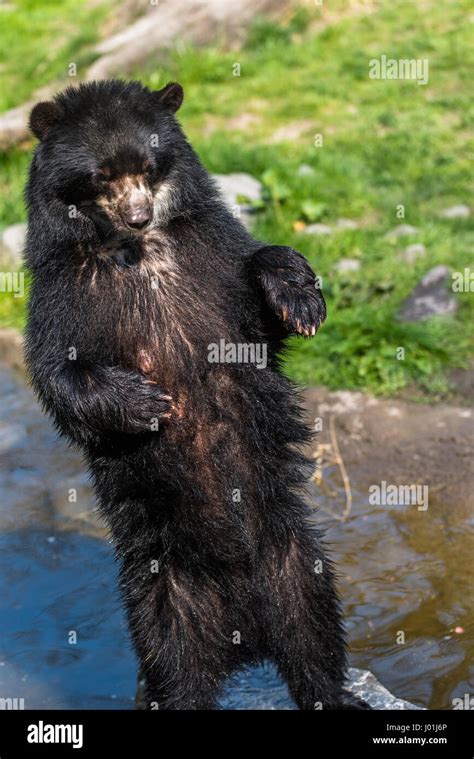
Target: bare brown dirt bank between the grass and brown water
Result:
[400, 442]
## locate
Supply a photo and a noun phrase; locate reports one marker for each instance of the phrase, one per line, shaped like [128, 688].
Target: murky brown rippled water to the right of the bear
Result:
[404, 576]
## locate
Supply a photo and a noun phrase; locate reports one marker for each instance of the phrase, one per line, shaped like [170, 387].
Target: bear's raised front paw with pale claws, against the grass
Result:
[291, 289]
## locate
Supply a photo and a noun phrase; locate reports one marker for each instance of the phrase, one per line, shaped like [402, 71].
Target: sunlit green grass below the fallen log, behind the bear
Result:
[385, 143]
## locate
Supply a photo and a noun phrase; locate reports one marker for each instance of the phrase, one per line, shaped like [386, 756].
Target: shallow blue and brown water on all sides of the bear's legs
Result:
[398, 572]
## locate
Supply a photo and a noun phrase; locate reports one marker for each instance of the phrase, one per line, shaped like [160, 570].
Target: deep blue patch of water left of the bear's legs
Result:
[64, 642]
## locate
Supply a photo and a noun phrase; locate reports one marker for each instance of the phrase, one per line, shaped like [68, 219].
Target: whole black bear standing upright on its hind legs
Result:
[137, 269]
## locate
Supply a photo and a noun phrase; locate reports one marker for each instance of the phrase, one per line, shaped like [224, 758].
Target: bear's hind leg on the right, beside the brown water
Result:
[304, 628]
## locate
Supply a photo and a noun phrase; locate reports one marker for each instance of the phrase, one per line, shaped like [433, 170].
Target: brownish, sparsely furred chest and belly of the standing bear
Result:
[167, 317]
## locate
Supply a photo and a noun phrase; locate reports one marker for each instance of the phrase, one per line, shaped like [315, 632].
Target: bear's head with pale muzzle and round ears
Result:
[113, 153]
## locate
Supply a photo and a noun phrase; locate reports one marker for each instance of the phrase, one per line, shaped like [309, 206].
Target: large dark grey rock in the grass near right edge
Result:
[429, 298]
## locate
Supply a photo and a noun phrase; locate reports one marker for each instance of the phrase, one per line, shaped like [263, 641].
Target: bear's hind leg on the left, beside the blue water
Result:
[176, 622]
